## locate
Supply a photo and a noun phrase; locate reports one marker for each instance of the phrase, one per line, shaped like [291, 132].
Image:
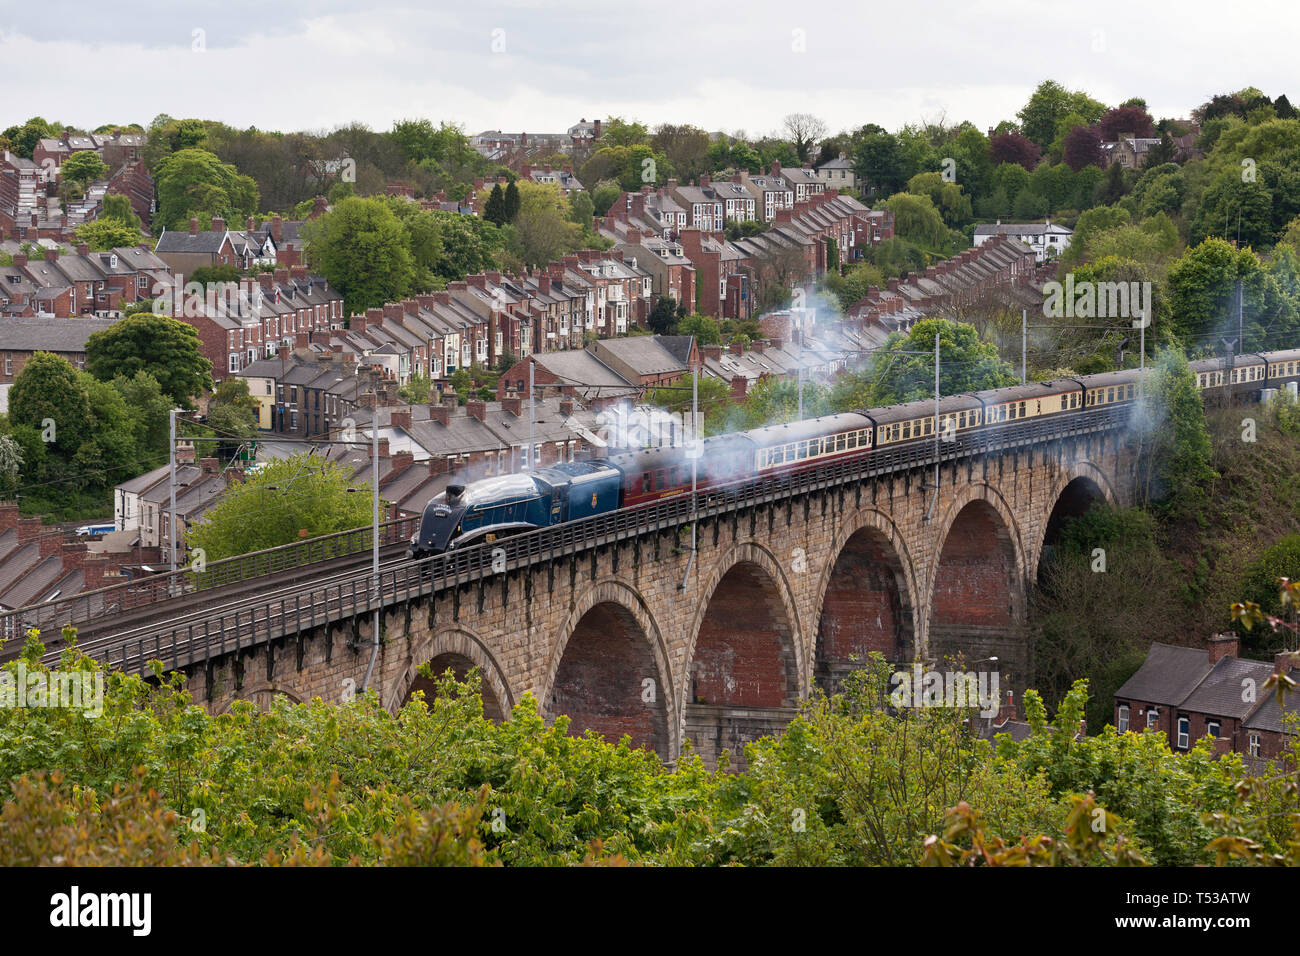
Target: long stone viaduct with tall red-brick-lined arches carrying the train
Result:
[644, 638]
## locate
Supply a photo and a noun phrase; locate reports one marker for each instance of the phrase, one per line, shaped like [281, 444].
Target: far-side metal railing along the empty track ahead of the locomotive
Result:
[116, 599]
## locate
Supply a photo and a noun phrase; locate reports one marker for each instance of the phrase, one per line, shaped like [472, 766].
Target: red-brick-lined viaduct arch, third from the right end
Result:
[864, 546]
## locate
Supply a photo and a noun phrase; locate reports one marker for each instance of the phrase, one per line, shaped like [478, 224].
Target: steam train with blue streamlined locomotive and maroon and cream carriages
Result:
[495, 508]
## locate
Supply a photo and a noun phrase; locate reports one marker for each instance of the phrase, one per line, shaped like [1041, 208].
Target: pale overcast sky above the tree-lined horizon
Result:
[540, 66]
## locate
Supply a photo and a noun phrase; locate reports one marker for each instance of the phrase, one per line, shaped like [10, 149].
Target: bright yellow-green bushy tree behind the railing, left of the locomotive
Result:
[304, 496]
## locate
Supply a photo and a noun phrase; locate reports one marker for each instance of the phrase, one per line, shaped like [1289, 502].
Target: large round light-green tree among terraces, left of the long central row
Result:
[365, 252]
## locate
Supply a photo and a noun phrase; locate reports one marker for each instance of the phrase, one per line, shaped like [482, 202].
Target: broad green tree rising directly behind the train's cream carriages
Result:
[904, 371]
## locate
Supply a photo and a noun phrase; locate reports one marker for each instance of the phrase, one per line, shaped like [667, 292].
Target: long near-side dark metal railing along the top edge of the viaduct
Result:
[219, 626]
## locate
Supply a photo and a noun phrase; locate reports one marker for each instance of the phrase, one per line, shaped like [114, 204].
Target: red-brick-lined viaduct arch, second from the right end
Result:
[982, 517]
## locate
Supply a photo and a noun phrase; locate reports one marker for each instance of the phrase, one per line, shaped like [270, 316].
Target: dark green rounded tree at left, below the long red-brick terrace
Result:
[166, 348]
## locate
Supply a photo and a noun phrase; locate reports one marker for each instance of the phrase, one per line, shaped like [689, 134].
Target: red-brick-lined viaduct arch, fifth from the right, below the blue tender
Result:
[612, 604]
